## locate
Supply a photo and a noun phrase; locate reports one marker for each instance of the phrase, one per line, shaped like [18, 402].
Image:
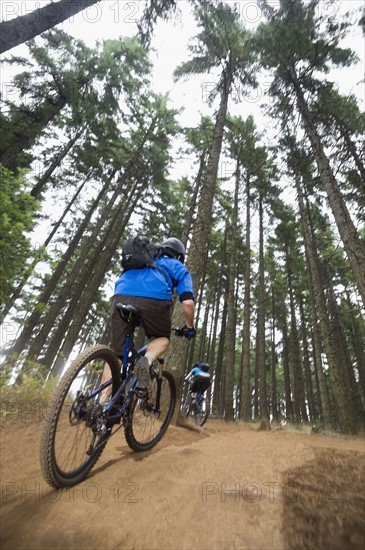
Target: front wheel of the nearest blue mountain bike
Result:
[146, 425]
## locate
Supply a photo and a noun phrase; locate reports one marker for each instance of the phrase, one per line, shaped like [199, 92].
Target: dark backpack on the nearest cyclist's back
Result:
[138, 252]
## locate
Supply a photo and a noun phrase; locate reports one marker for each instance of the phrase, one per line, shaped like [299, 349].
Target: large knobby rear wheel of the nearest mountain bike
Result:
[74, 434]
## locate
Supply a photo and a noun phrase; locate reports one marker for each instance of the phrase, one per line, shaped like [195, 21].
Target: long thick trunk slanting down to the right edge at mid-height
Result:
[354, 248]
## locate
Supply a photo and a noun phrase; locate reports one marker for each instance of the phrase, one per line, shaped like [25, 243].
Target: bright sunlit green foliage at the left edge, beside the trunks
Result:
[17, 217]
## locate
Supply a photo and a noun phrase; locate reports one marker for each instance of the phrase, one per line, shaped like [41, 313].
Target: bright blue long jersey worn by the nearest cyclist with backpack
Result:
[150, 282]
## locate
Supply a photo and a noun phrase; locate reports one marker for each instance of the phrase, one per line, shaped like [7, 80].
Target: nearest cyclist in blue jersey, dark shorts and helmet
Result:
[150, 291]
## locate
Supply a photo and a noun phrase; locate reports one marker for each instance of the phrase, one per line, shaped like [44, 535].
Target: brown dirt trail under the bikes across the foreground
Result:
[229, 487]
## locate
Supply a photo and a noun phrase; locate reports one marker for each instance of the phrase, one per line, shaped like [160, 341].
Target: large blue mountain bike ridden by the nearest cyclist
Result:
[96, 394]
